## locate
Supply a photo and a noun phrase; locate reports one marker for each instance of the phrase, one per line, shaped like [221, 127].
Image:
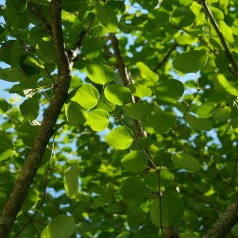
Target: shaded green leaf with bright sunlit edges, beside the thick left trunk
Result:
[75, 114]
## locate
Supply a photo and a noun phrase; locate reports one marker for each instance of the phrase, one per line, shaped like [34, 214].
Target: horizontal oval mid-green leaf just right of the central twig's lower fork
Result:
[184, 161]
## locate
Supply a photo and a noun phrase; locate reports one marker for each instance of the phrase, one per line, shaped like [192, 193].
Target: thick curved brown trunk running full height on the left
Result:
[32, 163]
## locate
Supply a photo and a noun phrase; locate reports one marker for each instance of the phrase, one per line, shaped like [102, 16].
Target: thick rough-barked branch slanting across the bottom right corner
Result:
[224, 223]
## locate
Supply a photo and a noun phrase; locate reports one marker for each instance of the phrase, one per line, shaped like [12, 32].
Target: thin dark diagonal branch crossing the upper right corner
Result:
[221, 37]
